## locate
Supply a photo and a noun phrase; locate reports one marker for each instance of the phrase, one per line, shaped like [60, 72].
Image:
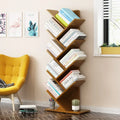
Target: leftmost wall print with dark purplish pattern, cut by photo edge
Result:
[2, 24]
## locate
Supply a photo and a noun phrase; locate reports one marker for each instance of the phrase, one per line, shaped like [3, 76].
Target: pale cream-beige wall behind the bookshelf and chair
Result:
[103, 78]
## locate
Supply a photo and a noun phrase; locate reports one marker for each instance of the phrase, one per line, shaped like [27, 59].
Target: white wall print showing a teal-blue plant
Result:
[31, 24]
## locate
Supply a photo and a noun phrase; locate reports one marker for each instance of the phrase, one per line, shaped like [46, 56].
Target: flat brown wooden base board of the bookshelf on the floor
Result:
[70, 112]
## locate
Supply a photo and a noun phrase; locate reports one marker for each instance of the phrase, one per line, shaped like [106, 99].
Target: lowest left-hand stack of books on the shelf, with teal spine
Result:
[54, 88]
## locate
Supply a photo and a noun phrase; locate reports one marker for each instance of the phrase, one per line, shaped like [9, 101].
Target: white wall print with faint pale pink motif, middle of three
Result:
[15, 24]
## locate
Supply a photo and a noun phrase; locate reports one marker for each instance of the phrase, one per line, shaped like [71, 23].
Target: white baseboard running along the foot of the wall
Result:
[46, 104]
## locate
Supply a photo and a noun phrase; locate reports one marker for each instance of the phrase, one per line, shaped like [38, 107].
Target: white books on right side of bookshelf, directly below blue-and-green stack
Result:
[72, 35]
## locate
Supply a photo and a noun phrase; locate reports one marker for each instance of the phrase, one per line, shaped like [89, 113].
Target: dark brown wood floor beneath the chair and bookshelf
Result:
[7, 114]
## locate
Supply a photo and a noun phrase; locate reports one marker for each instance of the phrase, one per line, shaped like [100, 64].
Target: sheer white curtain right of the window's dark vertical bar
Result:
[114, 25]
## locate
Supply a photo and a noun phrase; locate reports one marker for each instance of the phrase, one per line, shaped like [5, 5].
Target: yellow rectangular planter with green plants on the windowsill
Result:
[110, 49]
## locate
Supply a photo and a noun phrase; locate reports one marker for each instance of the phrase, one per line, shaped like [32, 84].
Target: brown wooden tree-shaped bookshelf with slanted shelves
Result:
[72, 92]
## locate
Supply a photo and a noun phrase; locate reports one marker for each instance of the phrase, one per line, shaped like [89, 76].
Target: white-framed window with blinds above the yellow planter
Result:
[107, 23]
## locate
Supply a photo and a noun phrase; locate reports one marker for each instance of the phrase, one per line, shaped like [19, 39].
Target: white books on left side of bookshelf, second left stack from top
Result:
[54, 48]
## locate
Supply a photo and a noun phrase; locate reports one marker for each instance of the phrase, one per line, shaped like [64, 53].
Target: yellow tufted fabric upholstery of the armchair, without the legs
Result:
[13, 70]
